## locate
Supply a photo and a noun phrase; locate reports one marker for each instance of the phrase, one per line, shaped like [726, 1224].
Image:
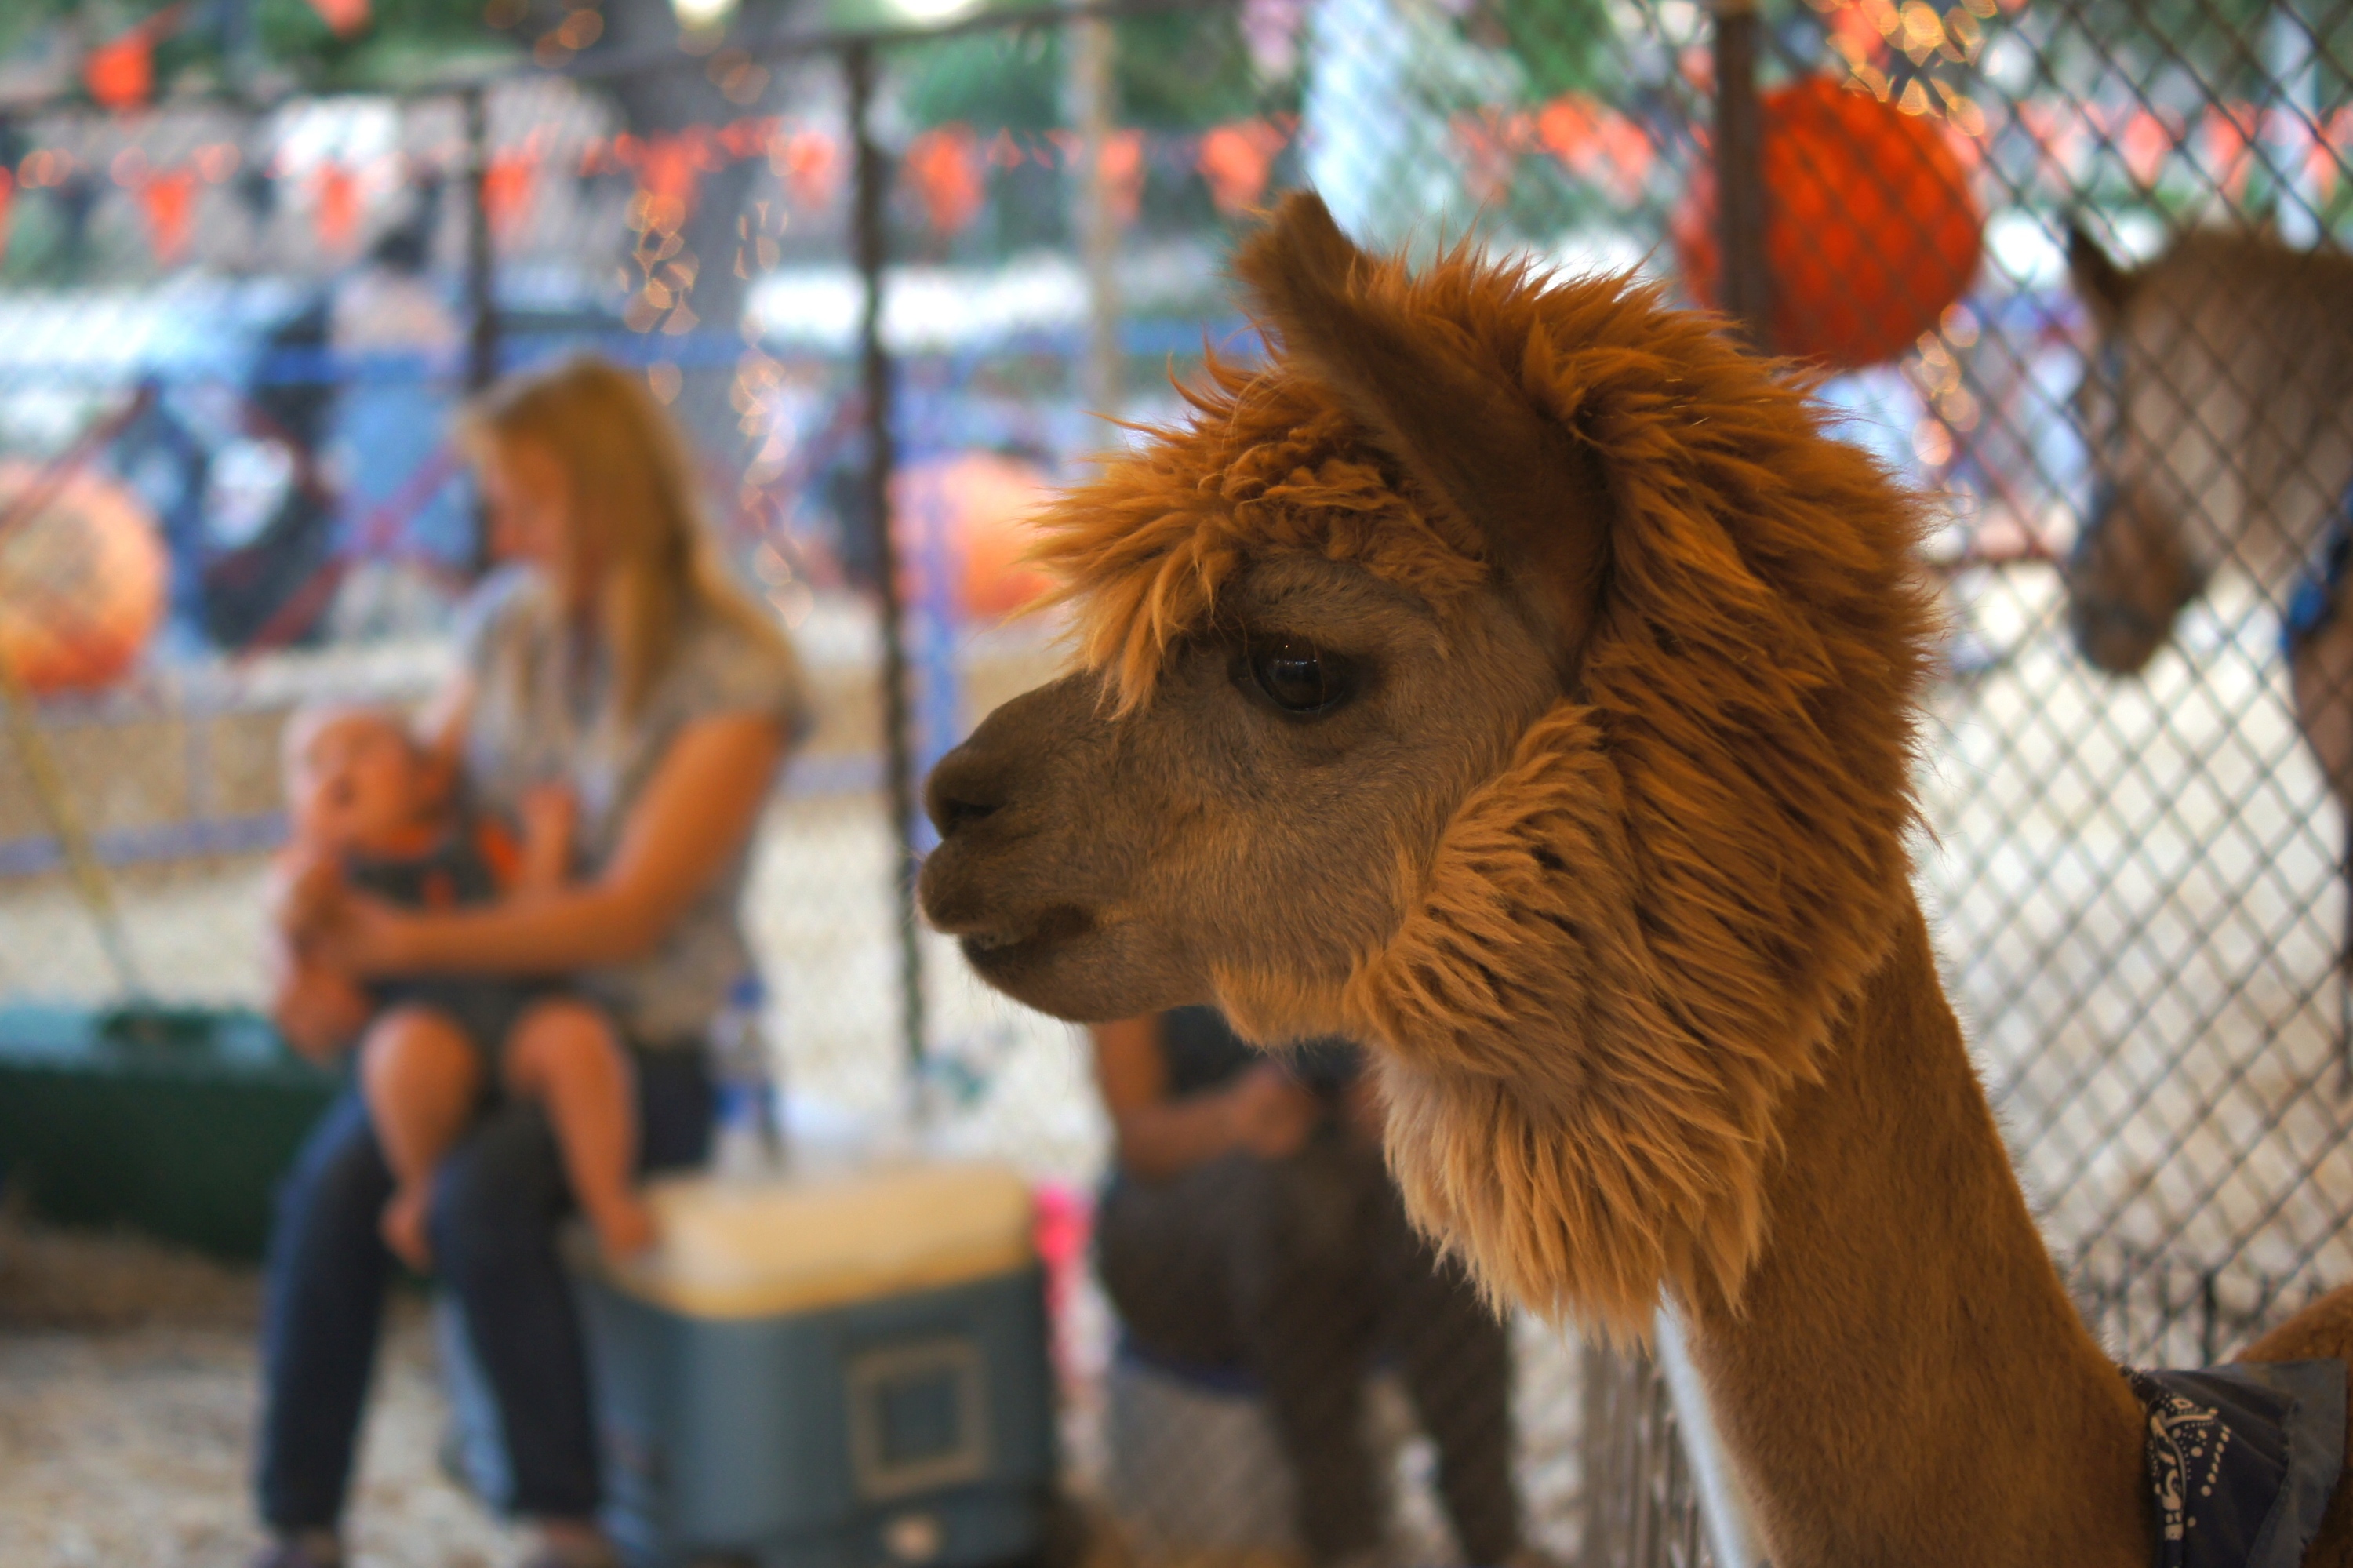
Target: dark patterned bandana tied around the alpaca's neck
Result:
[2244, 1461]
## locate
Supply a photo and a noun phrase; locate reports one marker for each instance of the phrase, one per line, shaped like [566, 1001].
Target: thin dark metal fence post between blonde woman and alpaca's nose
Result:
[872, 175]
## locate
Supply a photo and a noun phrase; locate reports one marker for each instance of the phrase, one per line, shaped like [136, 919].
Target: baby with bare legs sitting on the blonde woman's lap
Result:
[368, 804]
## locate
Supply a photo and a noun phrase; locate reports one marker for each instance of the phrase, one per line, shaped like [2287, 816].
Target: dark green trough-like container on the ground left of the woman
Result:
[168, 1122]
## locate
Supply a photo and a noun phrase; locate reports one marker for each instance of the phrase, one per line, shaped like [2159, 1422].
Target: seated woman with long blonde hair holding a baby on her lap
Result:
[622, 665]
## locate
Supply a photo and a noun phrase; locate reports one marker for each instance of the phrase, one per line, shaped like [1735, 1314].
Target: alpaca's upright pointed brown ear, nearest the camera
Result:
[1460, 425]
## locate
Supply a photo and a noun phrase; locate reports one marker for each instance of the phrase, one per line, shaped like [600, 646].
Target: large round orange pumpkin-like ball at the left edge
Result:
[81, 583]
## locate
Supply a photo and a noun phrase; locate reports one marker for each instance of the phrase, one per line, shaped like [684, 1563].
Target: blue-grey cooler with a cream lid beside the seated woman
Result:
[827, 1374]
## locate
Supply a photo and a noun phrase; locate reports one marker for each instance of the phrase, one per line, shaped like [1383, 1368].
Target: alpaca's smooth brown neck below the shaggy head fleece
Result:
[1905, 1378]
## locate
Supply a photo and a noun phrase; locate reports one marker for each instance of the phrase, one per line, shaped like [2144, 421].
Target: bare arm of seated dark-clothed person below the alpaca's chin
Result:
[1161, 1138]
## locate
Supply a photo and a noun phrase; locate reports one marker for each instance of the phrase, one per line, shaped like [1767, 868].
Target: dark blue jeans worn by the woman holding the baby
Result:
[493, 1228]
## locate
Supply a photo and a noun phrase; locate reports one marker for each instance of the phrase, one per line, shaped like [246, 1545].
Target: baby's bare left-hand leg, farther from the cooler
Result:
[422, 1079]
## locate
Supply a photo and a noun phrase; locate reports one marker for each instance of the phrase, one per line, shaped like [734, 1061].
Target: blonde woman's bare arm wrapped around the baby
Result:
[695, 813]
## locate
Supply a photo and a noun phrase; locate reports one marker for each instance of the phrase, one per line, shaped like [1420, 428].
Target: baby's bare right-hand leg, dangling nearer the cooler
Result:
[568, 1058]
